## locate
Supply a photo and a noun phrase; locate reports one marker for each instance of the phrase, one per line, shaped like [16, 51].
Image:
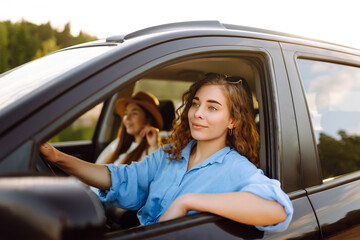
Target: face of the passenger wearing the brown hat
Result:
[134, 119]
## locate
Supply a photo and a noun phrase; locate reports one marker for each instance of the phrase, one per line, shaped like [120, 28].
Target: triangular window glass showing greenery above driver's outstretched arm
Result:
[81, 129]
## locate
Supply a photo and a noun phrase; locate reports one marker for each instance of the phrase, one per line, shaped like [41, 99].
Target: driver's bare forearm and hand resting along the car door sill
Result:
[243, 207]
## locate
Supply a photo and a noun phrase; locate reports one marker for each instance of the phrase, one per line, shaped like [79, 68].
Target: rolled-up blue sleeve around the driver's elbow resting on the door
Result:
[270, 189]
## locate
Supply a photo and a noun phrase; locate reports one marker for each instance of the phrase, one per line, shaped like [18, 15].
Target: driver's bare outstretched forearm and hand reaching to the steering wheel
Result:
[92, 174]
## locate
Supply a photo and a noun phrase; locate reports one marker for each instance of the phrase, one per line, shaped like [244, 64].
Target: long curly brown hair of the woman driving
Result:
[244, 137]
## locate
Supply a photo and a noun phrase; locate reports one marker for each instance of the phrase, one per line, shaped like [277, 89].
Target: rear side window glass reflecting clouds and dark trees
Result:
[333, 96]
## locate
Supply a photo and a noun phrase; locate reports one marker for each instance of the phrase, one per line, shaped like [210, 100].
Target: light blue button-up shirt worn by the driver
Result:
[154, 183]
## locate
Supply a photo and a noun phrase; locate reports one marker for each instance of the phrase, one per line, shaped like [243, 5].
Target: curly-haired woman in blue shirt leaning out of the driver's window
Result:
[209, 165]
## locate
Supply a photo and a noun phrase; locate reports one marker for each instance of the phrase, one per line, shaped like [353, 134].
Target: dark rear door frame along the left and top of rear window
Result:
[312, 175]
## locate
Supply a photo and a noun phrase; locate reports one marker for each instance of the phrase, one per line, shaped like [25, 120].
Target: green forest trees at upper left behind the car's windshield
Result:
[24, 41]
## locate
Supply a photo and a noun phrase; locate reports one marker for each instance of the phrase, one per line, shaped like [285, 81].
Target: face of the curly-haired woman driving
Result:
[209, 115]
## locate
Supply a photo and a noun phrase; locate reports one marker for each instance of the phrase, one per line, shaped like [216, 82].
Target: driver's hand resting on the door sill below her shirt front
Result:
[179, 208]
